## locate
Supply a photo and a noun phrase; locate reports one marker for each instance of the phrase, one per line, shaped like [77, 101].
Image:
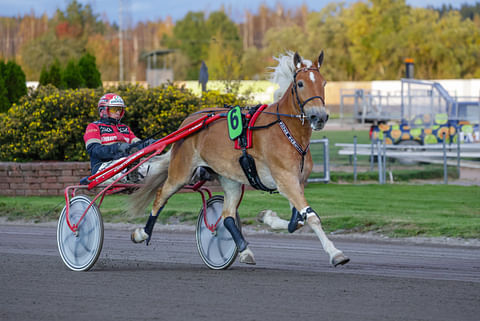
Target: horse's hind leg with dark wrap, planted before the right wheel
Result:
[233, 193]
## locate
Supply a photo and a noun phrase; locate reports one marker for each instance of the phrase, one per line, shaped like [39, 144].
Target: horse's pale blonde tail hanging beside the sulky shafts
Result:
[145, 194]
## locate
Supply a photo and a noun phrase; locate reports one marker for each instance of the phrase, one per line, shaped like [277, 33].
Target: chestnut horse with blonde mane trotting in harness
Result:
[279, 150]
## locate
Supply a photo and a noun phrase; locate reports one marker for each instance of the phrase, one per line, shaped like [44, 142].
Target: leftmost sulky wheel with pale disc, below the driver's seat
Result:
[80, 252]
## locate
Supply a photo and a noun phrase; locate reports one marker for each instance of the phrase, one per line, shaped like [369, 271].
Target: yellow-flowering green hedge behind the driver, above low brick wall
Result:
[48, 123]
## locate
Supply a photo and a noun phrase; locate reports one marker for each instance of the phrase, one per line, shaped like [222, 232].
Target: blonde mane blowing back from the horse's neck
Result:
[283, 73]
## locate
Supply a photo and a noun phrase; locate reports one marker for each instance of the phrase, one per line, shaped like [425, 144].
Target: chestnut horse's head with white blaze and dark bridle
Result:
[309, 90]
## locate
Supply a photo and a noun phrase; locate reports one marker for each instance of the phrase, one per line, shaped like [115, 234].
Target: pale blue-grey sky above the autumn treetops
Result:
[143, 10]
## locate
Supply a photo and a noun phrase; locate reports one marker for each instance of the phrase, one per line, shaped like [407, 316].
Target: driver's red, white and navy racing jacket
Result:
[102, 139]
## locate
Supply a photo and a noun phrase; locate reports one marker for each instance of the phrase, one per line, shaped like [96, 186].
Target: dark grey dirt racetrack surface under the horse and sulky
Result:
[291, 281]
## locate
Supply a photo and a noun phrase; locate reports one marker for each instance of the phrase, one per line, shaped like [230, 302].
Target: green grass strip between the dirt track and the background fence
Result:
[395, 210]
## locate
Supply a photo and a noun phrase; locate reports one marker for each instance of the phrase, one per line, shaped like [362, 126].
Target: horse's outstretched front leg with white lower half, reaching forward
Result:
[293, 190]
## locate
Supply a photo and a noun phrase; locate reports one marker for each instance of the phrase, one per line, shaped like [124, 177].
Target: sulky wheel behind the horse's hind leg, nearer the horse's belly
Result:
[217, 250]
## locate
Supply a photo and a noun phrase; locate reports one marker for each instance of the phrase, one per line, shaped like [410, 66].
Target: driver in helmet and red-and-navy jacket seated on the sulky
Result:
[107, 139]
